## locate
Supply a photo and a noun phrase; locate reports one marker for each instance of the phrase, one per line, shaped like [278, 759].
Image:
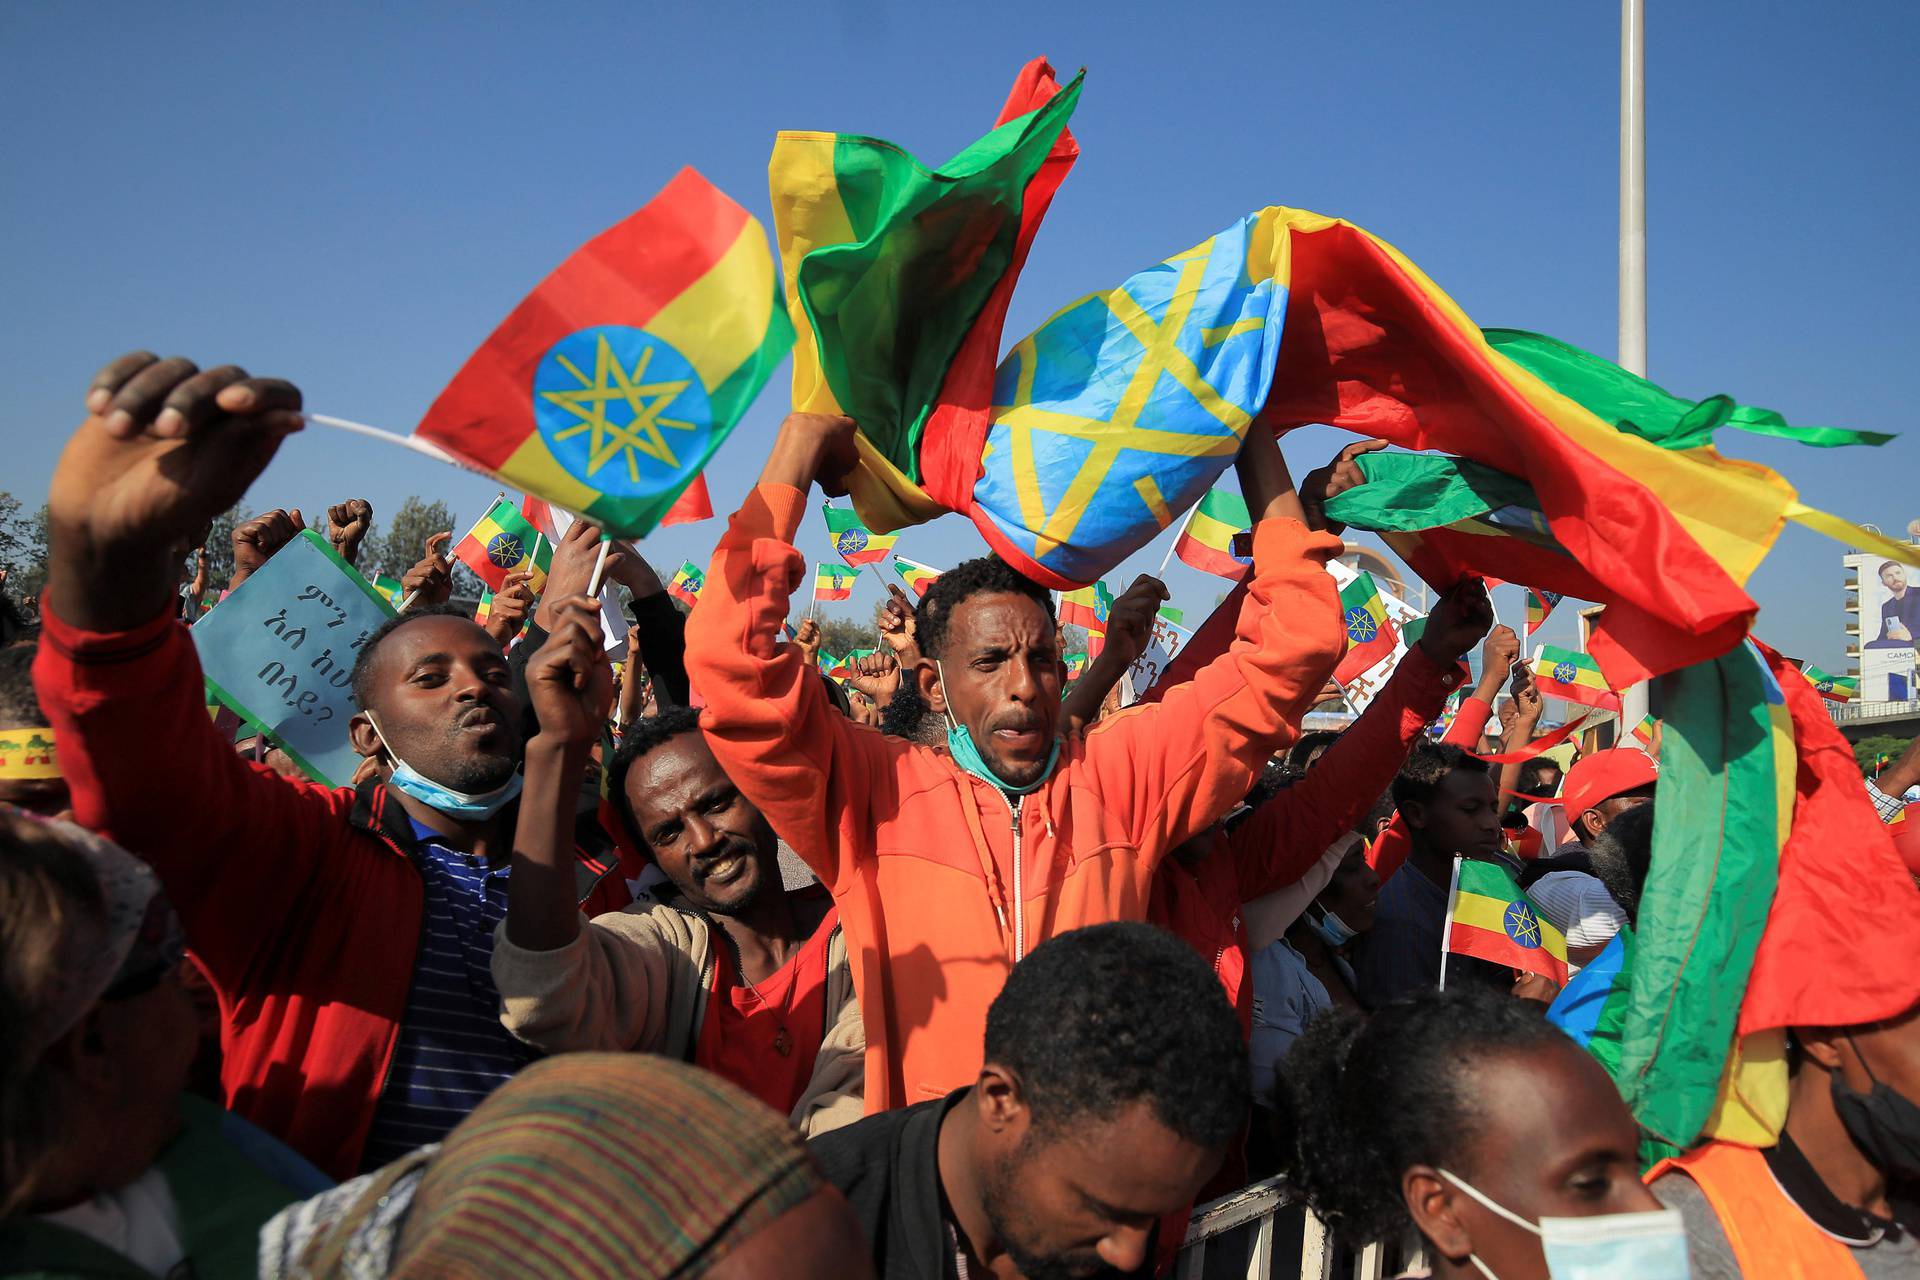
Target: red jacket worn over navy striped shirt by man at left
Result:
[300, 901]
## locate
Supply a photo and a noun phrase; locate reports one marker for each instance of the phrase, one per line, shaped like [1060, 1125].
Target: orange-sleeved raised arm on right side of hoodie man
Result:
[1184, 763]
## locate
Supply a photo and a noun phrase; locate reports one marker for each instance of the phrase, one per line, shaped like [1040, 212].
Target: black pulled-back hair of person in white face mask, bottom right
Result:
[1364, 1099]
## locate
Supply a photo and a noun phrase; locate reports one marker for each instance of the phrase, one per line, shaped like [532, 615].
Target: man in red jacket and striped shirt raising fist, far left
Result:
[347, 932]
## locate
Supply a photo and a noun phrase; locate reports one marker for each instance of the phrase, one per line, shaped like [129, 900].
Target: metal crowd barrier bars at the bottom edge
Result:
[1266, 1233]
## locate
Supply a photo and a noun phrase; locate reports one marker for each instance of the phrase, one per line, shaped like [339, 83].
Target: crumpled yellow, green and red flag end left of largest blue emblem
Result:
[898, 279]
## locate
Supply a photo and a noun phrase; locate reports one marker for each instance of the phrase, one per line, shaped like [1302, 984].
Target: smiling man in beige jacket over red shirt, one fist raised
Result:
[727, 970]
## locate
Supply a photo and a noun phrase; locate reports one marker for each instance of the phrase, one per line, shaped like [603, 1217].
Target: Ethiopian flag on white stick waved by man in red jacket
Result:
[613, 383]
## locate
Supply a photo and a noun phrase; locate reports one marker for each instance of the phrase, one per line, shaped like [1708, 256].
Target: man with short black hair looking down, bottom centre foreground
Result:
[1115, 1079]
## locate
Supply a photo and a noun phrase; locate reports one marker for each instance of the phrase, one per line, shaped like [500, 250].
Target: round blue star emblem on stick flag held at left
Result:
[623, 412]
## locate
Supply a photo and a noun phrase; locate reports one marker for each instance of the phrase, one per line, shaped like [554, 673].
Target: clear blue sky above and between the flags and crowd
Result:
[354, 195]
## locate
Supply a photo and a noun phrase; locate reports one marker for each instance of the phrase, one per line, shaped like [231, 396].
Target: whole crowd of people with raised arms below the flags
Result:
[729, 974]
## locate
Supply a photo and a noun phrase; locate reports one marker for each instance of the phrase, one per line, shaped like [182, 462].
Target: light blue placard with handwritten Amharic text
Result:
[279, 652]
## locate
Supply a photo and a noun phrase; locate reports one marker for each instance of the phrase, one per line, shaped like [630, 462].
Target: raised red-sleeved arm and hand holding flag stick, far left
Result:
[168, 448]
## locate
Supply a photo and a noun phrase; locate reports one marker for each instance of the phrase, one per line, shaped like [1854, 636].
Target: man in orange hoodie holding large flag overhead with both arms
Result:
[951, 865]
